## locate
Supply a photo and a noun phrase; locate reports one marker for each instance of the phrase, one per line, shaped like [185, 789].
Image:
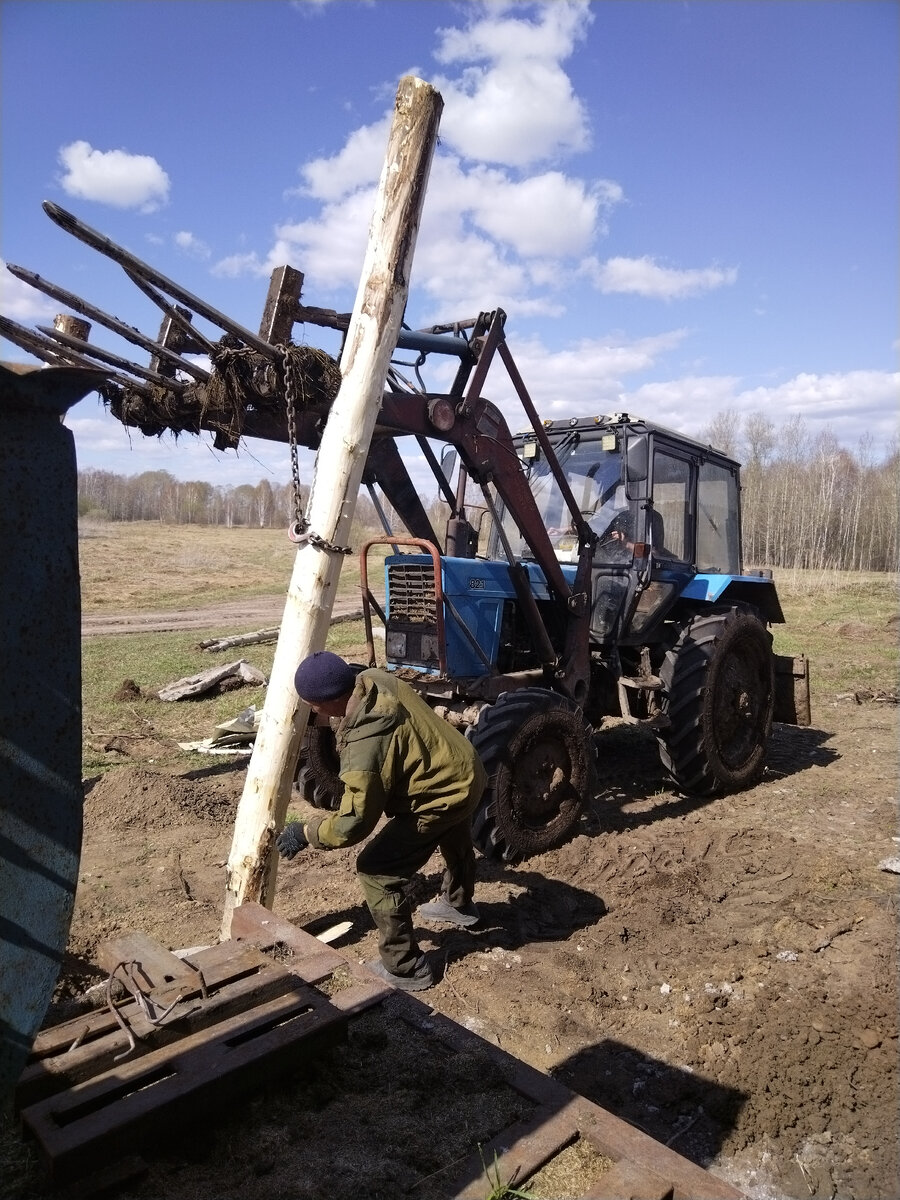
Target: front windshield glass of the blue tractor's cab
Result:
[596, 479]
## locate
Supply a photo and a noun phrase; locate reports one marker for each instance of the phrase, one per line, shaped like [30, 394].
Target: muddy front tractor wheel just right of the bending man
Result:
[541, 760]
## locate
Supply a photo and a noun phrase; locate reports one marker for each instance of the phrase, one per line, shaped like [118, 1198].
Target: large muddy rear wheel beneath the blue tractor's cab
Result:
[719, 681]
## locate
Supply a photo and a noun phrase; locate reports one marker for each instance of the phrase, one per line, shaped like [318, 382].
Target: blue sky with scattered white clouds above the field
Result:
[686, 208]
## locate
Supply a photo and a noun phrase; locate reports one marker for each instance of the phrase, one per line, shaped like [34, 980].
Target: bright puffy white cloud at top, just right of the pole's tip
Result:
[519, 107]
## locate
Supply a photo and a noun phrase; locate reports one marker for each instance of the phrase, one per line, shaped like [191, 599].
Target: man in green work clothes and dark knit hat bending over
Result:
[401, 761]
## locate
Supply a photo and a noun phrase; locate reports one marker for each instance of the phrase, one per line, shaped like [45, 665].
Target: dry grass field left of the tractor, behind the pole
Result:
[146, 566]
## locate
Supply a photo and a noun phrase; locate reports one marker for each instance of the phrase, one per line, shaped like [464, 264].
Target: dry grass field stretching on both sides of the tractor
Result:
[844, 622]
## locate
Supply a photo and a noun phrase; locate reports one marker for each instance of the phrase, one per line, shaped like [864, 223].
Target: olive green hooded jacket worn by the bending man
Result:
[398, 759]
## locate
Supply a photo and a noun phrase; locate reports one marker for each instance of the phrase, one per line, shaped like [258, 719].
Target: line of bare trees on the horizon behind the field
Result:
[807, 502]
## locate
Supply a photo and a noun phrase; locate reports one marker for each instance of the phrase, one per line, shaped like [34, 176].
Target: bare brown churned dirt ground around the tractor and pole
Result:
[721, 974]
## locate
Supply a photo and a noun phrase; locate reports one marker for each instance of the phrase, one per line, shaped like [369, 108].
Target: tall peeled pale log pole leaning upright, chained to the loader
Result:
[371, 339]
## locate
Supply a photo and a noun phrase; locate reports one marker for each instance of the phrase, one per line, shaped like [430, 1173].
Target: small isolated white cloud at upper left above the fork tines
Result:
[115, 177]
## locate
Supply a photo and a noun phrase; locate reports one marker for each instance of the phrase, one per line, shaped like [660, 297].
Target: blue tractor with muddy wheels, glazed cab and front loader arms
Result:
[604, 579]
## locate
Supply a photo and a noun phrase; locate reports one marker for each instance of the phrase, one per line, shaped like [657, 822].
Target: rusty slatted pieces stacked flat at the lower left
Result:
[239, 1021]
